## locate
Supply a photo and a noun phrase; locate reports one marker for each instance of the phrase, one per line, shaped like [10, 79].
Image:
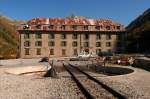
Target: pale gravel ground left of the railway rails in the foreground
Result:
[36, 87]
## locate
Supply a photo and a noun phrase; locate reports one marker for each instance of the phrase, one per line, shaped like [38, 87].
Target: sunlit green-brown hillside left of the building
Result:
[8, 38]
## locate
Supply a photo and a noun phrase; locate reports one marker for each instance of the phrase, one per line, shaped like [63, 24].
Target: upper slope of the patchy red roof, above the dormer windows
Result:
[71, 21]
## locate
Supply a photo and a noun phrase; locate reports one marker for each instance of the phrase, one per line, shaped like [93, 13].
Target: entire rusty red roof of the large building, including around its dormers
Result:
[32, 24]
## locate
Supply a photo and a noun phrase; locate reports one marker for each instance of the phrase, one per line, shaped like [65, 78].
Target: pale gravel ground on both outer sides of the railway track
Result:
[133, 86]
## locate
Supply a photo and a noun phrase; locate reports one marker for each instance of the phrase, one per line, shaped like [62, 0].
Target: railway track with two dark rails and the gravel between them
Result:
[90, 86]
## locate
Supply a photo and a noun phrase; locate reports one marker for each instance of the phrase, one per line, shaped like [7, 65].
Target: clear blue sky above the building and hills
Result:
[122, 11]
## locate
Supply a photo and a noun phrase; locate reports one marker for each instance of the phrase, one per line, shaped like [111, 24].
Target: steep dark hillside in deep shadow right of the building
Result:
[138, 34]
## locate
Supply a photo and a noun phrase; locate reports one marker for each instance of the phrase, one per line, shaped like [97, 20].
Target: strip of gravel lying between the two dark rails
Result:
[92, 87]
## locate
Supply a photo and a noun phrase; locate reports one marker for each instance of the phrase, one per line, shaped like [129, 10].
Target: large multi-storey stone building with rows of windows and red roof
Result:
[69, 36]
